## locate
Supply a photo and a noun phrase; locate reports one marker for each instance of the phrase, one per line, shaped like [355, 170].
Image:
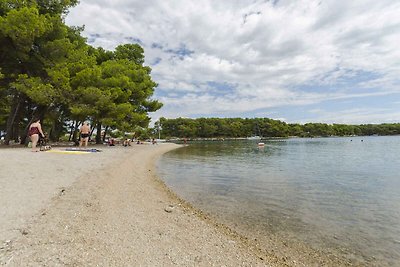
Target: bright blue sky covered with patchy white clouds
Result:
[298, 61]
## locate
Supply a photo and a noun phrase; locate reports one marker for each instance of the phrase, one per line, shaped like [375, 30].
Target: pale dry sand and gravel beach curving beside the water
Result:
[105, 209]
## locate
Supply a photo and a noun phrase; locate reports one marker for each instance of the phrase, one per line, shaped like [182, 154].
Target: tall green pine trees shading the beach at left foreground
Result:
[48, 71]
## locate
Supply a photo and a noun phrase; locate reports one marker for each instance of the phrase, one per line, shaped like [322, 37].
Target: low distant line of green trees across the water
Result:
[265, 127]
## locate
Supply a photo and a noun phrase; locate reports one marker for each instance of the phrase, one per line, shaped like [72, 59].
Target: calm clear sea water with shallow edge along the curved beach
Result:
[338, 196]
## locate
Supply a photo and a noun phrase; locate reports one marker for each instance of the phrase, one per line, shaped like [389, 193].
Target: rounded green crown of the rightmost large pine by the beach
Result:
[115, 93]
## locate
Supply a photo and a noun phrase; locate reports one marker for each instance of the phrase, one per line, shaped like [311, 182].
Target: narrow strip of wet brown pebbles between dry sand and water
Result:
[273, 250]
